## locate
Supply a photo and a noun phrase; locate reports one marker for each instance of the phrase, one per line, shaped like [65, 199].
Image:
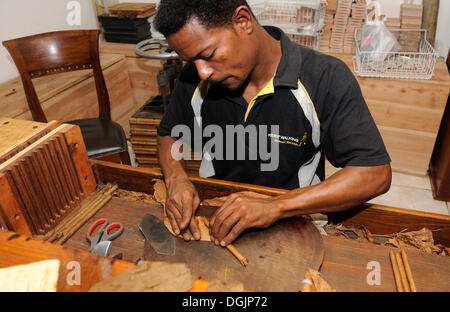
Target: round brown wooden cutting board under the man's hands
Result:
[278, 256]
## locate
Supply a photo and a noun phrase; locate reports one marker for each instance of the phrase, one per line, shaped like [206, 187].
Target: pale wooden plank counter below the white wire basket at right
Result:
[408, 113]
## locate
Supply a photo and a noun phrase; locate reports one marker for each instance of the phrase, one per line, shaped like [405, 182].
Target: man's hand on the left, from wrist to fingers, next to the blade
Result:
[181, 204]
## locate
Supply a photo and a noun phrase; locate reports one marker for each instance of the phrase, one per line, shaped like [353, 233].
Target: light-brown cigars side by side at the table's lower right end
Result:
[402, 272]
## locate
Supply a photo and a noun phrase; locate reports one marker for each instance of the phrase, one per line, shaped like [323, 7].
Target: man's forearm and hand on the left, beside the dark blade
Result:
[182, 198]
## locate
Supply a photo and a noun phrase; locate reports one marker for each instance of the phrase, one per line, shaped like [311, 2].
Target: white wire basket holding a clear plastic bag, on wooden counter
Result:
[409, 63]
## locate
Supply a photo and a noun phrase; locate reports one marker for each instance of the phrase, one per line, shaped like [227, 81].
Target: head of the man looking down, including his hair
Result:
[218, 36]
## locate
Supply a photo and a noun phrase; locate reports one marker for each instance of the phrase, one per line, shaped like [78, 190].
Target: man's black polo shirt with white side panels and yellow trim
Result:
[316, 103]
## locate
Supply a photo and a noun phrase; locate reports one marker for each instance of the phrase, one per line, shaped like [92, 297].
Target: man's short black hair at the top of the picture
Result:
[172, 15]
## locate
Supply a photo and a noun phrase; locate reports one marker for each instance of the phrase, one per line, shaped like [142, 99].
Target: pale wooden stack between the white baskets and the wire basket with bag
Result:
[341, 19]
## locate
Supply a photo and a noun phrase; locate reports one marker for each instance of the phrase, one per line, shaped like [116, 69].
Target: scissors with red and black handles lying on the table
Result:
[101, 243]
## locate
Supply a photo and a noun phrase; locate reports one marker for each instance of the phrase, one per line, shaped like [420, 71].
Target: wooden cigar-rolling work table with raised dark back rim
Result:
[344, 263]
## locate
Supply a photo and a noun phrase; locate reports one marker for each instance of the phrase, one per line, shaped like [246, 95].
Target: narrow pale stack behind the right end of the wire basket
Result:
[410, 18]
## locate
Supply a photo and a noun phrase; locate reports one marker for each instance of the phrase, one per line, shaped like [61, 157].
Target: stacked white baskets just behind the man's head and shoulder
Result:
[302, 17]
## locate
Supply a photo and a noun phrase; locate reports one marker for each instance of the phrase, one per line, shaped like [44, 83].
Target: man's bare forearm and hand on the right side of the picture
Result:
[345, 189]
